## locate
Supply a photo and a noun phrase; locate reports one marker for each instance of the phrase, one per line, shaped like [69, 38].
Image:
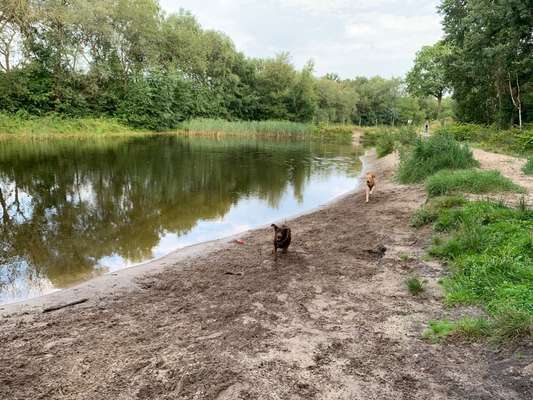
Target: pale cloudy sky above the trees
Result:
[347, 37]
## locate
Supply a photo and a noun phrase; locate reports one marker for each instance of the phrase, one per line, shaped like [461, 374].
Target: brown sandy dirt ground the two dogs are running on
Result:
[329, 320]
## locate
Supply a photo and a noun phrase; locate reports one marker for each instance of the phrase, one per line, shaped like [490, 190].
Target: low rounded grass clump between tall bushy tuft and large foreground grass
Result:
[469, 181]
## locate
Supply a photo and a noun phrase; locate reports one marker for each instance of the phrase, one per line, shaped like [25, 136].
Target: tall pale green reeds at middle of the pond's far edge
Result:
[212, 126]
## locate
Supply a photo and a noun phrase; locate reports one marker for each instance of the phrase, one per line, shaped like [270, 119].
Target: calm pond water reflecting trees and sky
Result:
[74, 209]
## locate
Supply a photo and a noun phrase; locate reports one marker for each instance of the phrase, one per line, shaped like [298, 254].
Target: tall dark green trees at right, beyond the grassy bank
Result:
[485, 60]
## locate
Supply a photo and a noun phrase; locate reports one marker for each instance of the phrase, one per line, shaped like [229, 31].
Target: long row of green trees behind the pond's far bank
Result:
[129, 60]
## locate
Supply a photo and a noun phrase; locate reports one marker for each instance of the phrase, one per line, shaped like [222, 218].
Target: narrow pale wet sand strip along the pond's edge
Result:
[124, 279]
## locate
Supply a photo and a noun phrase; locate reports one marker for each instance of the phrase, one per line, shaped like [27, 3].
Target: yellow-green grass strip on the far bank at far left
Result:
[56, 125]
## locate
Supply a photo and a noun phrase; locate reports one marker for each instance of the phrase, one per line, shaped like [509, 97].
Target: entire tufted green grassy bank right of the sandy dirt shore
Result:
[487, 247]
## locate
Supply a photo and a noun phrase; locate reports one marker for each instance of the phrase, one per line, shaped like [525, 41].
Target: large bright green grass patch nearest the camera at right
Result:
[489, 249]
